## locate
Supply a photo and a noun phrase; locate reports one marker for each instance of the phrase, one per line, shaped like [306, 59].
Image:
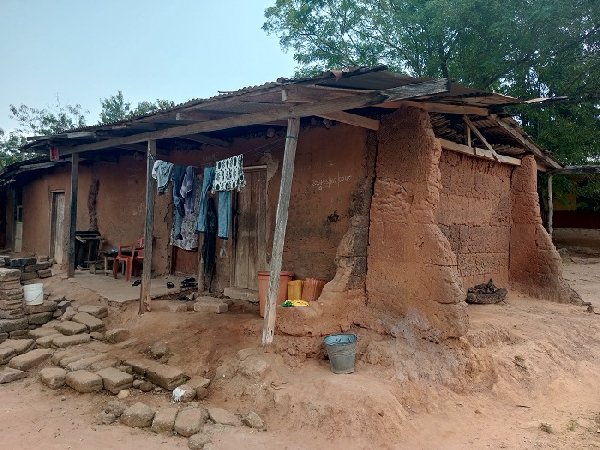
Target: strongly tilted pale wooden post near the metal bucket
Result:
[287, 174]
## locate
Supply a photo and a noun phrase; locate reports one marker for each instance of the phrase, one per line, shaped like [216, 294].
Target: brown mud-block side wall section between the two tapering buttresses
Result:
[474, 215]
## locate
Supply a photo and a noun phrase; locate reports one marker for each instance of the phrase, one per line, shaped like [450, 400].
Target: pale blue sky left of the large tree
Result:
[85, 50]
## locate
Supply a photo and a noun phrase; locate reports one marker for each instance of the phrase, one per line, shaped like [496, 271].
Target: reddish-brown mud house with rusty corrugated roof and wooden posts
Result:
[400, 192]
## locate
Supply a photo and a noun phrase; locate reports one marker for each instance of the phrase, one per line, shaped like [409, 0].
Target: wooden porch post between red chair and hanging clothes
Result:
[148, 229]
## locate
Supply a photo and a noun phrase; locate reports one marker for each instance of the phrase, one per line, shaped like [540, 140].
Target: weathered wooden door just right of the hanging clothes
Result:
[250, 230]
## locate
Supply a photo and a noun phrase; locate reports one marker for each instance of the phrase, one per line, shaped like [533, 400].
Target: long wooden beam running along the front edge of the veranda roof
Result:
[275, 113]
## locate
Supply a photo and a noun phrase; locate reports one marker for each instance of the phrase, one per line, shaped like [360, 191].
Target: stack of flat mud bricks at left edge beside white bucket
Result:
[16, 318]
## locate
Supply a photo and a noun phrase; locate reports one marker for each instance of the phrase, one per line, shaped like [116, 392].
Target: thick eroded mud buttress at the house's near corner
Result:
[412, 279]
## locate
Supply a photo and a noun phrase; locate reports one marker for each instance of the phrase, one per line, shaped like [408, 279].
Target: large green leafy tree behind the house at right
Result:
[523, 48]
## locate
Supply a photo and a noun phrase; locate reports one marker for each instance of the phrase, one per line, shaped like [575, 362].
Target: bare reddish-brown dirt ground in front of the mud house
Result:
[524, 363]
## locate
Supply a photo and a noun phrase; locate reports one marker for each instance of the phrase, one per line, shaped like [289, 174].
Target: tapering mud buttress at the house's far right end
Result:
[535, 265]
